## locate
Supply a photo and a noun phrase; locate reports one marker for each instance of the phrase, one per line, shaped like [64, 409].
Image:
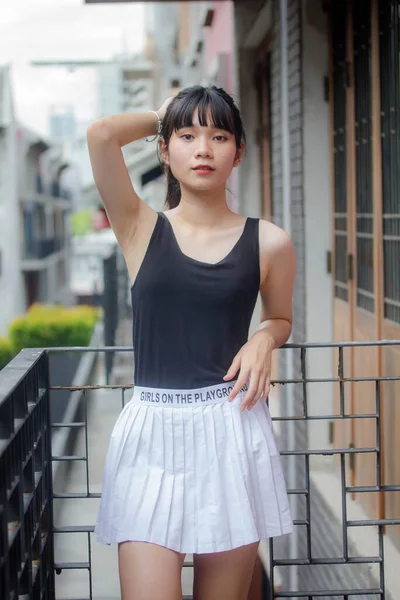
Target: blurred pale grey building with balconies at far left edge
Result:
[34, 208]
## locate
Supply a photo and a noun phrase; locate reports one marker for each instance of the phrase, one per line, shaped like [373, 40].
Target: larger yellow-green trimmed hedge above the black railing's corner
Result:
[45, 326]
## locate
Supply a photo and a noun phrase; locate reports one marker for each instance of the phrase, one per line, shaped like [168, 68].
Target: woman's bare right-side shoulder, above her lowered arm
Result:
[276, 247]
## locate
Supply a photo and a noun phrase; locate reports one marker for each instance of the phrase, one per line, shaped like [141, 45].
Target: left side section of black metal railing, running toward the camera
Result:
[26, 504]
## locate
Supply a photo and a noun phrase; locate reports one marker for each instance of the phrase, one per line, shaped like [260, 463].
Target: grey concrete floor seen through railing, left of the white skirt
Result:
[103, 409]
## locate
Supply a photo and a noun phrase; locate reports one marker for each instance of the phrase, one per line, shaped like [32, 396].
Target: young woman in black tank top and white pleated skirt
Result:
[192, 465]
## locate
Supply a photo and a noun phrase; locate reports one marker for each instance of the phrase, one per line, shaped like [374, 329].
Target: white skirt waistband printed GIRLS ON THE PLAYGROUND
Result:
[183, 398]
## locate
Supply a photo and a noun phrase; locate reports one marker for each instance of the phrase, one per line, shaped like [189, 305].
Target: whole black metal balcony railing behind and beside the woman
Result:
[27, 562]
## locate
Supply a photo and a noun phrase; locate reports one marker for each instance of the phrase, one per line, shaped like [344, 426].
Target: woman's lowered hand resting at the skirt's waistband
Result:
[254, 362]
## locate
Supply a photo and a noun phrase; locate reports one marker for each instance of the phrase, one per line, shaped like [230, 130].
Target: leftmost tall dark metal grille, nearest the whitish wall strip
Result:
[340, 147]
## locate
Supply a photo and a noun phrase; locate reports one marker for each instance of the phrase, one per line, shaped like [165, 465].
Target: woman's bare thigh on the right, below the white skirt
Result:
[224, 575]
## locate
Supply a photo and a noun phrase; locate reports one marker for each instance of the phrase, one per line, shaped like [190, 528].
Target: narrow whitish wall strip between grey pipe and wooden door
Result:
[317, 208]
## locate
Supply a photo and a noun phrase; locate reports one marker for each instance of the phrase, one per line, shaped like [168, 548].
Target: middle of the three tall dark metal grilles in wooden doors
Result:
[363, 143]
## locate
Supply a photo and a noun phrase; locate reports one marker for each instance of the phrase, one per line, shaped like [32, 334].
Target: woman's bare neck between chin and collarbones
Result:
[203, 208]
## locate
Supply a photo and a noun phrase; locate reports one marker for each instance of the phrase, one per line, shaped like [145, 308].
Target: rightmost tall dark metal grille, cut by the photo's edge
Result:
[390, 116]
